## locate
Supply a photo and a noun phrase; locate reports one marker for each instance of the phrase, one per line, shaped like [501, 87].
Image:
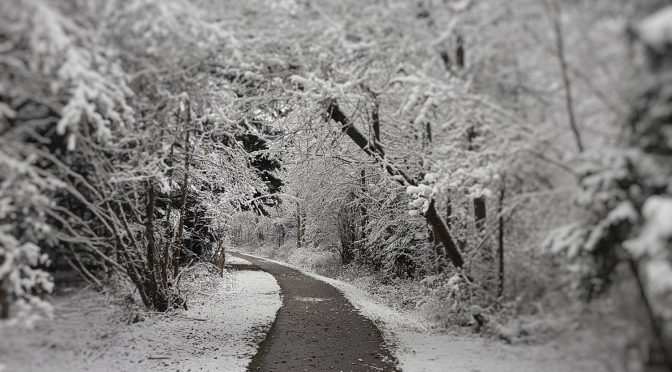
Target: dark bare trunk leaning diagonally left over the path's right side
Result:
[440, 229]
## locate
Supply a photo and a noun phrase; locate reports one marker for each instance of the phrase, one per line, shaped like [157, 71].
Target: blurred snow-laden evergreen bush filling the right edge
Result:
[627, 191]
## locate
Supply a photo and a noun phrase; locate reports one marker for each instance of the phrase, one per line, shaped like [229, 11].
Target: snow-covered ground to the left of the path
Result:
[227, 319]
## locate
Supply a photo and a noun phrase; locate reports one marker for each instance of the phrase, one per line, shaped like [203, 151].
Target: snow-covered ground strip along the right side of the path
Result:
[420, 349]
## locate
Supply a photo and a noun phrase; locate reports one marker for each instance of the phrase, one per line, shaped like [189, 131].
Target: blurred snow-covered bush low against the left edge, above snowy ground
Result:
[24, 206]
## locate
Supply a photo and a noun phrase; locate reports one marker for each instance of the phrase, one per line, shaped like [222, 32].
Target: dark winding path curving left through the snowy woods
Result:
[317, 329]
